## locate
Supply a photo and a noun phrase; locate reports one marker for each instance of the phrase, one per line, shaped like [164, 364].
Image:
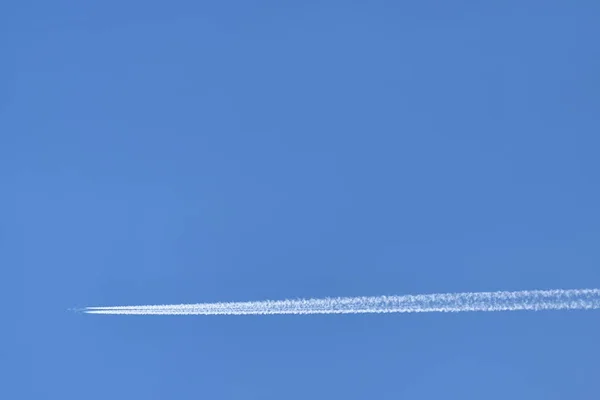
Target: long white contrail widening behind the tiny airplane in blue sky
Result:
[531, 300]
